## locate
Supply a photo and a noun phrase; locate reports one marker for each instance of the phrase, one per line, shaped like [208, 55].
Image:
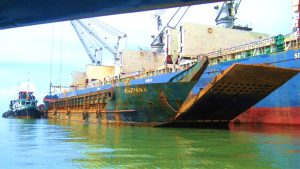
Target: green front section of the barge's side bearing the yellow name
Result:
[148, 103]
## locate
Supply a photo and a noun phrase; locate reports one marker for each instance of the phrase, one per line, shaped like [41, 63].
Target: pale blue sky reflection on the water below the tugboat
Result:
[28, 143]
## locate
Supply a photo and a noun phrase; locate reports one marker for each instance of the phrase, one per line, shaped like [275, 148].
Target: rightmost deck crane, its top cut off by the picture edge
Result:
[226, 14]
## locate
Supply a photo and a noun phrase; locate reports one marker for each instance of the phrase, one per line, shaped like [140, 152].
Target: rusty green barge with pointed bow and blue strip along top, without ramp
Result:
[153, 100]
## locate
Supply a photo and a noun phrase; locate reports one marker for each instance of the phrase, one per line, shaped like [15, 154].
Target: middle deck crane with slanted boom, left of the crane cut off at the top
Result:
[157, 42]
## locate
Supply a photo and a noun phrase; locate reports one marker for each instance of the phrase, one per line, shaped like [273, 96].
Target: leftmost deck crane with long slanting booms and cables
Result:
[94, 36]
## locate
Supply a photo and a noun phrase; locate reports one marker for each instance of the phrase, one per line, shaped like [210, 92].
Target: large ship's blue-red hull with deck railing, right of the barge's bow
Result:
[283, 105]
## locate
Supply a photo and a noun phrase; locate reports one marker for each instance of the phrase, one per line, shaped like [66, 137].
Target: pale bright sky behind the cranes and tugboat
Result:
[32, 49]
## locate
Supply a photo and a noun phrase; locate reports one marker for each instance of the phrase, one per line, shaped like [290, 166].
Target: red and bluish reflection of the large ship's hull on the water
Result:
[278, 145]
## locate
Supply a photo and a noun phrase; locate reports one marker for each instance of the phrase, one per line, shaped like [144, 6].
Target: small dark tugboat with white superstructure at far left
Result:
[24, 107]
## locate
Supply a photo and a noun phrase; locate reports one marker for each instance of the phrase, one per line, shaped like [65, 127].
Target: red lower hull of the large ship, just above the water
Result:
[278, 115]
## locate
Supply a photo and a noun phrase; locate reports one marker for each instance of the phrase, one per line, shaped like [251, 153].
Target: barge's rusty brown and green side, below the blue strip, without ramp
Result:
[146, 105]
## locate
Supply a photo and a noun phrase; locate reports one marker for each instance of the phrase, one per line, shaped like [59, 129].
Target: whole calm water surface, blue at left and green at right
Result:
[59, 144]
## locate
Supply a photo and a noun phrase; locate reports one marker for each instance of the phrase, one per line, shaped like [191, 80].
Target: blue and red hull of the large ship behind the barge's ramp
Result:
[283, 105]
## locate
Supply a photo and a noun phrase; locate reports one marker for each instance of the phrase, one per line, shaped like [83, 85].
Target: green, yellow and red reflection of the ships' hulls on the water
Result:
[133, 147]
